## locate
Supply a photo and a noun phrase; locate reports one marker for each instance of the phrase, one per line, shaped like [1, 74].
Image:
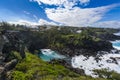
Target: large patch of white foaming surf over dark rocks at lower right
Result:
[109, 61]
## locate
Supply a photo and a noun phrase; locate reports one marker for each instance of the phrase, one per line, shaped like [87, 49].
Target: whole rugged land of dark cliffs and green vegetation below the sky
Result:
[20, 46]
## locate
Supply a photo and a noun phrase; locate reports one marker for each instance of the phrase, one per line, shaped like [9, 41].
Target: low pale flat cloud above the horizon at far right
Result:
[105, 24]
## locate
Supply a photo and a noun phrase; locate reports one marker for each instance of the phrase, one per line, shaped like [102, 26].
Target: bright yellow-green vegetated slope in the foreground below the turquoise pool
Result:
[32, 68]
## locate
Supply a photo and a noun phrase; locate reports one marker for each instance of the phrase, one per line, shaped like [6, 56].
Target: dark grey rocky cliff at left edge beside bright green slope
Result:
[9, 43]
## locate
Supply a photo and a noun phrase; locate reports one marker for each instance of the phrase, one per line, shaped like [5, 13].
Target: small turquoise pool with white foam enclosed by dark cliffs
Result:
[48, 54]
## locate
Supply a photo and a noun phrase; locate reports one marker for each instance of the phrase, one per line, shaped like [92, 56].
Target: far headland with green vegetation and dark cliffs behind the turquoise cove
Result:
[61, 37]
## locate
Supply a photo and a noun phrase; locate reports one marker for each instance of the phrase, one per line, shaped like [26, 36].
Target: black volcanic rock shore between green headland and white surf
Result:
[87, 51]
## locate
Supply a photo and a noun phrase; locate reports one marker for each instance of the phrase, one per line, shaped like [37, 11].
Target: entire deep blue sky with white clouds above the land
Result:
[78, 13]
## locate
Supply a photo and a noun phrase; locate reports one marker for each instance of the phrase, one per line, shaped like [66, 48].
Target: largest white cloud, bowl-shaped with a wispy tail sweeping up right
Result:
[77, 16]
